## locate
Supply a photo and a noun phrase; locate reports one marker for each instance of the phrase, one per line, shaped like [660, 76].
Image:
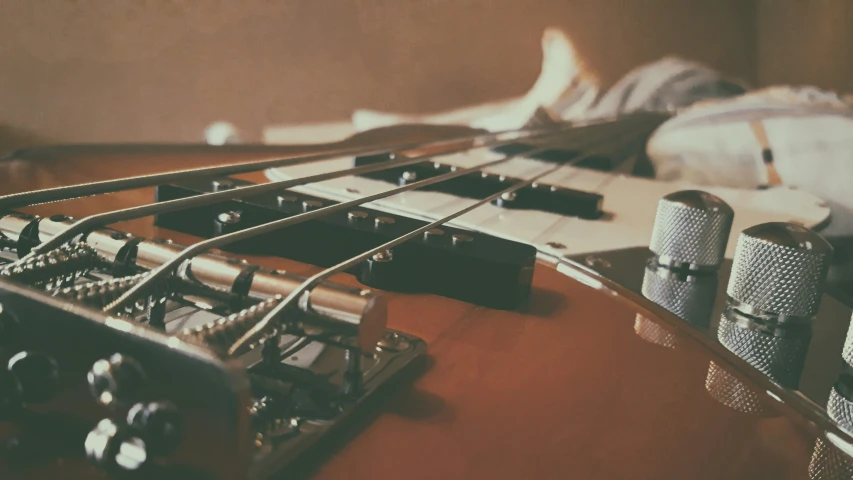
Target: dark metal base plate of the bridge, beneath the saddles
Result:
[196, 380]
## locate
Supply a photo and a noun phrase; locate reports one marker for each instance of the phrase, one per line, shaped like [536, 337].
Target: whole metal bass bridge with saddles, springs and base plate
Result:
[165, 361]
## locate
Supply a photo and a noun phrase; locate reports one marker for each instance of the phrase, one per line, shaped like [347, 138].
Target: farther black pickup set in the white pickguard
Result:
[478, 185]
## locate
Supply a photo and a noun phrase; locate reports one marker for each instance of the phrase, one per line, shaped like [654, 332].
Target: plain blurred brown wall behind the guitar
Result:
[126, 70]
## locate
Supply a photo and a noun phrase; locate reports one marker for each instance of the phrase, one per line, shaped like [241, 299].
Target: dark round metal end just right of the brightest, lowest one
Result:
[158, 423]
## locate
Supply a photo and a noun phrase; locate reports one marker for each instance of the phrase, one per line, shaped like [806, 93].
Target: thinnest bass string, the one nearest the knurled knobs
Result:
[256, 332]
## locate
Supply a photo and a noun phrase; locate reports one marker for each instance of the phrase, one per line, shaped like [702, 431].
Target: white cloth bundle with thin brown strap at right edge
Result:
[810, 134]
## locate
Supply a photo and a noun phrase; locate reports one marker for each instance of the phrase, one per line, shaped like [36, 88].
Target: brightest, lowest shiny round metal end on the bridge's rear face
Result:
[115, 448]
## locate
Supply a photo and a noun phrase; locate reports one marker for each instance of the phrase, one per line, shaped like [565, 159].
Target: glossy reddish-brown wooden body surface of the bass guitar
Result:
[562, 388]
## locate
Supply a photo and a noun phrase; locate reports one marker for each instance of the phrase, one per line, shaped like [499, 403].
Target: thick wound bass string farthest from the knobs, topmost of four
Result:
[54, 194]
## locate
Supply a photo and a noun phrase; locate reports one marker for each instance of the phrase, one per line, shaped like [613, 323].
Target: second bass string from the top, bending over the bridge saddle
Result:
[101, 219]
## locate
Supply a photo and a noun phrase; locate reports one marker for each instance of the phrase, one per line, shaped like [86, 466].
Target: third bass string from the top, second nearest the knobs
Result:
[223, 240]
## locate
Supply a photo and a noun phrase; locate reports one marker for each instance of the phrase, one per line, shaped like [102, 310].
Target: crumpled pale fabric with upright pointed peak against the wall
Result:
[567, 91]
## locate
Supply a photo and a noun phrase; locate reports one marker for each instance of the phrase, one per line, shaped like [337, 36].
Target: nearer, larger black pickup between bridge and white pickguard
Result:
[452, 262]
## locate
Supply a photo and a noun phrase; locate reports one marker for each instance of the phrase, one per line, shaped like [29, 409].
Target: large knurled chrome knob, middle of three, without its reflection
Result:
[779, 269]
